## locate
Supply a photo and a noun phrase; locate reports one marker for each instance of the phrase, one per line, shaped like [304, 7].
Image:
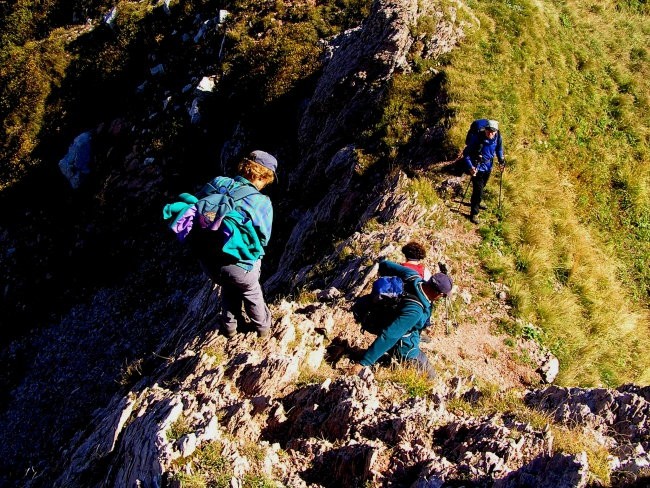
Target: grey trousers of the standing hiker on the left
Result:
[240, 287]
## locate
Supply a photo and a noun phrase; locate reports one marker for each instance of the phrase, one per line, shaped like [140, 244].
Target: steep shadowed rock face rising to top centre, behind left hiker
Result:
[345, 102]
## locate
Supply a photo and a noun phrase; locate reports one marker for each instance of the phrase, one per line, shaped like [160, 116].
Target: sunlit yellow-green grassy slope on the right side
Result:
[569, 82]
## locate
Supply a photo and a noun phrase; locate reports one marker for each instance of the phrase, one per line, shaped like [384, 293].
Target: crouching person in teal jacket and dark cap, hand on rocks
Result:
[402, 337]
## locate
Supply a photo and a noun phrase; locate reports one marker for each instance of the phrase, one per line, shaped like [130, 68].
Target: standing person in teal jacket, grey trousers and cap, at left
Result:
[236, 267]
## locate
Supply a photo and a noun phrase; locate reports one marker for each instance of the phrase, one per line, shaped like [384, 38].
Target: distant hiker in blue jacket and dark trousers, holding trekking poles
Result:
[483, 142]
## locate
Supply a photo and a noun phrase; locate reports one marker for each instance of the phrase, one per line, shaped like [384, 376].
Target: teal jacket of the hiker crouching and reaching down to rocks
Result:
[402, 336]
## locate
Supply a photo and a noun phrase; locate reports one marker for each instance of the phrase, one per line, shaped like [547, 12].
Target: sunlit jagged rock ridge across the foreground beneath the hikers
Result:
[315, 426]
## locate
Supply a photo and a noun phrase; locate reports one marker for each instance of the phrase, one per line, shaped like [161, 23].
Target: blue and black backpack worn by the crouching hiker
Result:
[377, 310]
